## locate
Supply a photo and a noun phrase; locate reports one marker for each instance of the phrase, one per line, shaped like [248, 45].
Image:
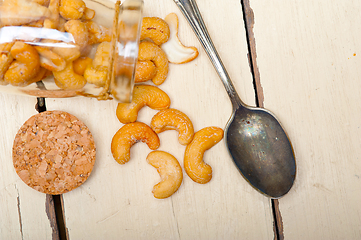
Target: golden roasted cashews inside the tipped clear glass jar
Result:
[25, 61]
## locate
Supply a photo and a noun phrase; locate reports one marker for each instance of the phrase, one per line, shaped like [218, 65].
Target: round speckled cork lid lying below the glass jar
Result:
[53, 152]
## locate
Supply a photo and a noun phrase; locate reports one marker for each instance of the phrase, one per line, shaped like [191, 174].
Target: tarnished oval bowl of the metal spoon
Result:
[261, 150]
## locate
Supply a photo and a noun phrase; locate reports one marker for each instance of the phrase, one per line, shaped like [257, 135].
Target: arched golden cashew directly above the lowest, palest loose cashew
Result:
[173, 119]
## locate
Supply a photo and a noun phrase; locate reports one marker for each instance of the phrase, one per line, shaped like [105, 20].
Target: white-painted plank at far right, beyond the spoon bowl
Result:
[309, 62]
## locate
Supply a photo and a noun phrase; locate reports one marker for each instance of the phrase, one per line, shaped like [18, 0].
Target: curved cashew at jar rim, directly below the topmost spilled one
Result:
[152, 52]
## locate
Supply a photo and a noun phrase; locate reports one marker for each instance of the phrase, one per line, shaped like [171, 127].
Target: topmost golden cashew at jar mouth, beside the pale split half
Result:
[156, 29]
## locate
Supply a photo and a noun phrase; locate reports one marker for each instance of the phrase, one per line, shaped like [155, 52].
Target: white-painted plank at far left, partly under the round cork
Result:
[22, 209]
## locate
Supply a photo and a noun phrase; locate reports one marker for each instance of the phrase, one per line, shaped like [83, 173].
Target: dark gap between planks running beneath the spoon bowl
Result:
[248, 17]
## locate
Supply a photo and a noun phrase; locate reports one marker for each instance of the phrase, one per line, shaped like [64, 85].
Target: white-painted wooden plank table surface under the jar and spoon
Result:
[299, 59]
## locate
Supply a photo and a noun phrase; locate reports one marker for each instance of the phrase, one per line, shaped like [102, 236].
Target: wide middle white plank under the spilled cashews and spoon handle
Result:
[116, 201]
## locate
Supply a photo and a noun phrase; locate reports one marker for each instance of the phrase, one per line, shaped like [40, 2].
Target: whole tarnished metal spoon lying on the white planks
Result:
[255, 139]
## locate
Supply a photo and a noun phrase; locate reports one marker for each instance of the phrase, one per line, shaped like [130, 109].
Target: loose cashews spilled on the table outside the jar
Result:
[153, 60]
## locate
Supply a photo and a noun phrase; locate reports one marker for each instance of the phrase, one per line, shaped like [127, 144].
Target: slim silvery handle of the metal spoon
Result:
[191, 12]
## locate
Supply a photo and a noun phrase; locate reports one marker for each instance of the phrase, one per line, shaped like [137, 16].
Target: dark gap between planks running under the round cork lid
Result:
[53, 203]
